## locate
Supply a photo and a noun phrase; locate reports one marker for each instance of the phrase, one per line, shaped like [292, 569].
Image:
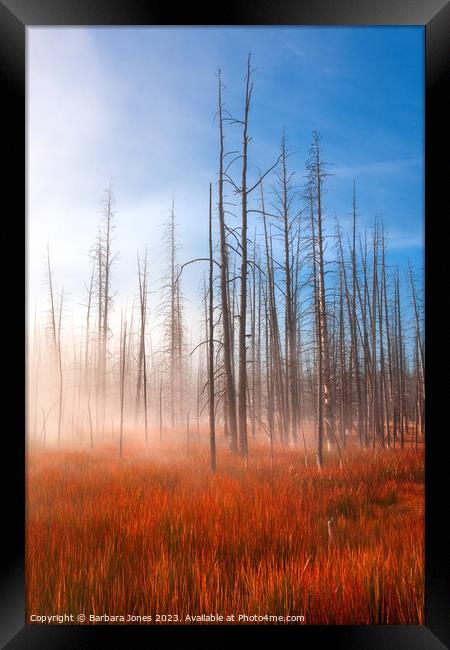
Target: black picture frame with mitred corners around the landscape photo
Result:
[15, 16]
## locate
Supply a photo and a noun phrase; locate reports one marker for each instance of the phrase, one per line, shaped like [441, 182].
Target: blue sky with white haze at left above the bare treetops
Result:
[137, 106]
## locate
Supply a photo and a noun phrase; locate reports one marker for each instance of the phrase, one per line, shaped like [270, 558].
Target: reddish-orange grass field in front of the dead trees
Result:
[162, 537]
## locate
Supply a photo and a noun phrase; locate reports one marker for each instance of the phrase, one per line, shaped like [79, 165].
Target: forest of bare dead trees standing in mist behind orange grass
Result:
[309, 337]
